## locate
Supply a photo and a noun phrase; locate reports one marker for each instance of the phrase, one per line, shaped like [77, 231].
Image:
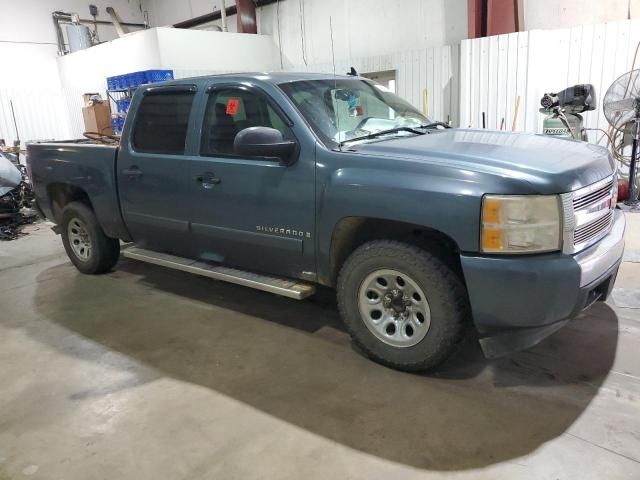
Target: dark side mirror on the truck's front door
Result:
[264, 142]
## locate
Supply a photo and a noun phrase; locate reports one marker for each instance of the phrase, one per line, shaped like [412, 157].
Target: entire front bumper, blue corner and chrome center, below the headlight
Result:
[517, 301]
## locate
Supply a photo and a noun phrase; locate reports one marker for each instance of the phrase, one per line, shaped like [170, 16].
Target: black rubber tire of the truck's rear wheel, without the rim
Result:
[104, 252]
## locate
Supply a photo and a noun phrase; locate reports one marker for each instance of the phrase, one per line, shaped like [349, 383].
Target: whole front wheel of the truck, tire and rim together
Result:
[402, 306]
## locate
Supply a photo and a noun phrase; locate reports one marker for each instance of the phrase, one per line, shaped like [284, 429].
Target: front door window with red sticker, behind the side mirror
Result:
[231, 110]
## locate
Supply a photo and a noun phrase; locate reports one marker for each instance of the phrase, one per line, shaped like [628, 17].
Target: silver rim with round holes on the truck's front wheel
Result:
[394, 308]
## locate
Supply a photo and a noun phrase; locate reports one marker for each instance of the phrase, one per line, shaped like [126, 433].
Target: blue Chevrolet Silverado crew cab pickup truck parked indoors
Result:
[283, 181]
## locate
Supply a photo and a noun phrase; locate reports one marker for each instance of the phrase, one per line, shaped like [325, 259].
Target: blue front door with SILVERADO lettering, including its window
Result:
[252, 212]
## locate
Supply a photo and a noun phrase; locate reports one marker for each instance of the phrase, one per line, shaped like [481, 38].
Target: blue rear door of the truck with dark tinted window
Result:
[153, 174]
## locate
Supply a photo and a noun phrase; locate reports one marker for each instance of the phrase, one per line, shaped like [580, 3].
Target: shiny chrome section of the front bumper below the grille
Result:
[598, 259]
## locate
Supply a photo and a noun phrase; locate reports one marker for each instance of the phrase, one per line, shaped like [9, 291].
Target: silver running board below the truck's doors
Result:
[279, 286]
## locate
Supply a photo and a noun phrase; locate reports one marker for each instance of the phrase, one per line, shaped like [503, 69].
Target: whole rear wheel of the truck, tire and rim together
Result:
[90, 250]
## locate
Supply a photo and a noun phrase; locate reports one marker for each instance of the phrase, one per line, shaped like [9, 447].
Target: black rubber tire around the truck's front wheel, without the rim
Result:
[443, 289]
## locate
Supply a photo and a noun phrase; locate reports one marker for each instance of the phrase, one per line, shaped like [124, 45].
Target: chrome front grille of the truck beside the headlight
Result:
[588, 214]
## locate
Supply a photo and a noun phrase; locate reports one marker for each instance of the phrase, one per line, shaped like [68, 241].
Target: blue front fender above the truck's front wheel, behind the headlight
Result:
[436, 198]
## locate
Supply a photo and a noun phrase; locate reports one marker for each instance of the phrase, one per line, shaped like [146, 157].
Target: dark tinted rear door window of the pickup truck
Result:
[161, 123]
